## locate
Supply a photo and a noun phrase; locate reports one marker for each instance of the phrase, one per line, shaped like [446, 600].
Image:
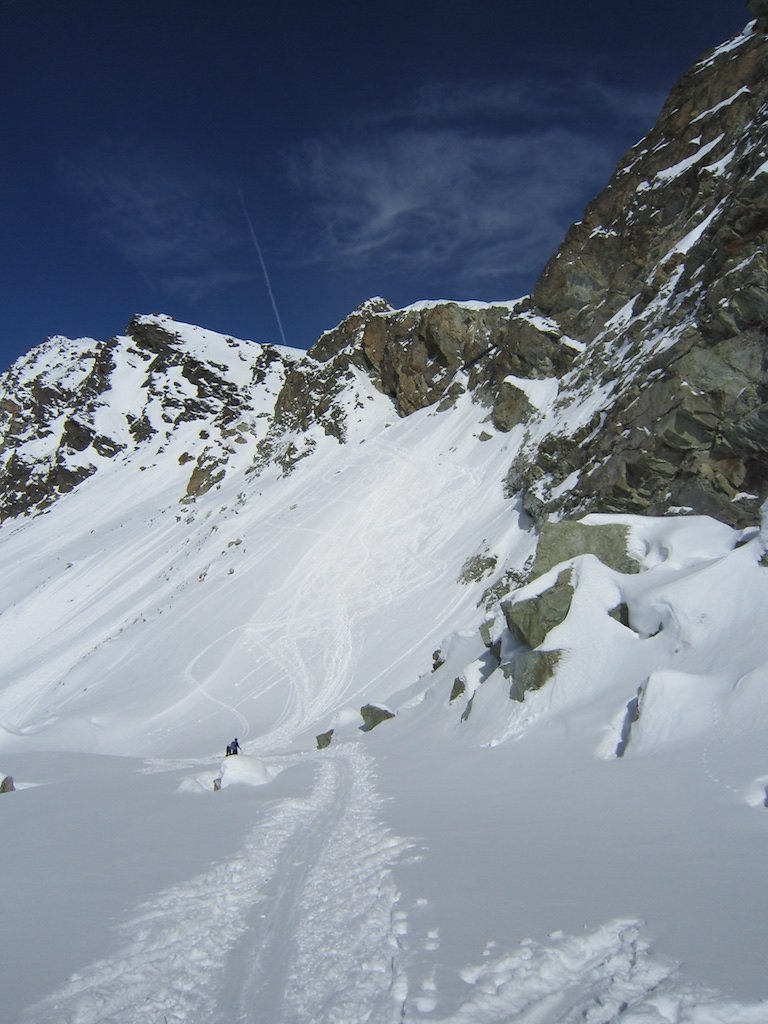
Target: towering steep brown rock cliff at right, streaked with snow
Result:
[665, 280]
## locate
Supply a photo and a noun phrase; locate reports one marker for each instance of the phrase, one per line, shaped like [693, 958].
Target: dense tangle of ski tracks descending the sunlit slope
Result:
[332, 590]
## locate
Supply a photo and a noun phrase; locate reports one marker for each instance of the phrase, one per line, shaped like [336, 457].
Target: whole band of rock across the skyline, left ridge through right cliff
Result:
[635, 378]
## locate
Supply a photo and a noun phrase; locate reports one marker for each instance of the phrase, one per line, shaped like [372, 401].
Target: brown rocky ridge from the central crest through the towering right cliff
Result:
[651, 320]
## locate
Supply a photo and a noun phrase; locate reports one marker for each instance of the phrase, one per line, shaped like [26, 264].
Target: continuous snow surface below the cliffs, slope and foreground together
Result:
[458, 866]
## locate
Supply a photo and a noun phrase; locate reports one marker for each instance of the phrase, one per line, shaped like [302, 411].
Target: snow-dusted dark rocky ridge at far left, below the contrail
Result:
[70, 408]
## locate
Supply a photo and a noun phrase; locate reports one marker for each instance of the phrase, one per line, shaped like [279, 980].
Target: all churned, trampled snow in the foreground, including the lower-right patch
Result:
[306, 926]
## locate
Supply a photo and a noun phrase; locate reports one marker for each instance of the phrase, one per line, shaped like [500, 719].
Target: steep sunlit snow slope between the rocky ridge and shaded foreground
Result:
[146, 623]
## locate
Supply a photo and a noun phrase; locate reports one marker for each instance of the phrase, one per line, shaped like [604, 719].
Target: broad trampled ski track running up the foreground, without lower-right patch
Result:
[302, 924]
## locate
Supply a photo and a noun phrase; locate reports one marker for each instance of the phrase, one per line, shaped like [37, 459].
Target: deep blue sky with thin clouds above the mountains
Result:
[429, 150]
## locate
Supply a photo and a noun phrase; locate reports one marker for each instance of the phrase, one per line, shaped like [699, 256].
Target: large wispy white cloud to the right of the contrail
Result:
[481, 182]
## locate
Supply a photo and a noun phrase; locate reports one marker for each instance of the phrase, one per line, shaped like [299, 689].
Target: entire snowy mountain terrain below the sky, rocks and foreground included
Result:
[503, 761]
